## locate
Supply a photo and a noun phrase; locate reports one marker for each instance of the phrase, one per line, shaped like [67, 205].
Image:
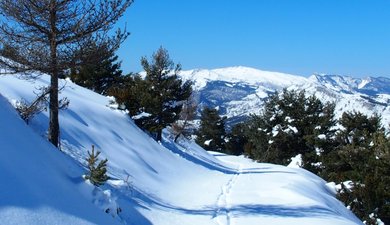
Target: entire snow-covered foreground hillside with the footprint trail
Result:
[151, 183]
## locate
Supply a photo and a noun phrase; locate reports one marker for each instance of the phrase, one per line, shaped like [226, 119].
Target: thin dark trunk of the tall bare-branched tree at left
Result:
[53, 132]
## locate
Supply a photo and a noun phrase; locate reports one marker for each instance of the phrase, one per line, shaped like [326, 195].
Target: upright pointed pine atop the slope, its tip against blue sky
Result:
[164, 95]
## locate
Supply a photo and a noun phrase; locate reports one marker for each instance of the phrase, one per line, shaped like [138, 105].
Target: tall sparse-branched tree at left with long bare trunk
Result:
[41, 36]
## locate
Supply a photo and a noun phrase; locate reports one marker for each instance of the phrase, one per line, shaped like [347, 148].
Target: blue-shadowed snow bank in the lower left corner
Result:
[39, 185]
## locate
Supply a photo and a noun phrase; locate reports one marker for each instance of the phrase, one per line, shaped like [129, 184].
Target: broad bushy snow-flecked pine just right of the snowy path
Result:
[291, 124]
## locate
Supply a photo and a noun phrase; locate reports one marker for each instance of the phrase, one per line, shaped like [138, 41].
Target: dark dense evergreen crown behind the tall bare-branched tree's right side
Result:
[97, 68]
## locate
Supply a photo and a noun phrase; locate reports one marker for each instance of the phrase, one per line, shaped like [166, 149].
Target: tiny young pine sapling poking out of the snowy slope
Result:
[97, 170]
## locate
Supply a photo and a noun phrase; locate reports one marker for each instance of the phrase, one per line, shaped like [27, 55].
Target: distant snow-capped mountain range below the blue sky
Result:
[240, 91]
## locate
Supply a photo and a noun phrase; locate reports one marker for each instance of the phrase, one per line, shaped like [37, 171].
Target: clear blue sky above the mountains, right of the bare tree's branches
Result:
[302, 37]
